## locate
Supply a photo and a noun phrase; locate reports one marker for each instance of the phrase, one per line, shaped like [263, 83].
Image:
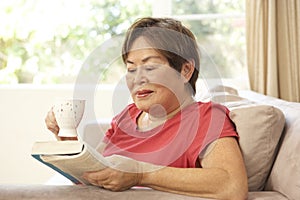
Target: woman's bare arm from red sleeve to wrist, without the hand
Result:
[223, 175]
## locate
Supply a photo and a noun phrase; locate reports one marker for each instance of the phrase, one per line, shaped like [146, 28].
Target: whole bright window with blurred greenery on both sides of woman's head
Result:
[46, 42]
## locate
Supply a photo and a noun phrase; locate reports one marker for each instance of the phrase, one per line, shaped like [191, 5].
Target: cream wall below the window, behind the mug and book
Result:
[22, 113]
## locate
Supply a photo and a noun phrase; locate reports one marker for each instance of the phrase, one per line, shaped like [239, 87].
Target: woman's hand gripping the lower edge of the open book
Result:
[112, 179]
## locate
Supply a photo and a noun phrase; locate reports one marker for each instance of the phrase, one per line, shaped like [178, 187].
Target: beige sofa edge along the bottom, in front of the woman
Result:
[84, 192]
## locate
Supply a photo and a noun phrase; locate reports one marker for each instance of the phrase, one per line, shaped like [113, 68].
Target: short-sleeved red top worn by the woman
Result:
[177, 143]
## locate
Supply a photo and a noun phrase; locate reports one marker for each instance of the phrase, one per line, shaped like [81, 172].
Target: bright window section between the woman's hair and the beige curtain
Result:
[219, 26]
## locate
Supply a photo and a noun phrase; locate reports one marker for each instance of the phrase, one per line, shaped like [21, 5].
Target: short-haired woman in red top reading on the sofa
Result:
[196, 142]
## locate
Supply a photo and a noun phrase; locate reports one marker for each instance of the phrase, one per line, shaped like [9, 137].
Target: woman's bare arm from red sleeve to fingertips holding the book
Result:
[223, 175]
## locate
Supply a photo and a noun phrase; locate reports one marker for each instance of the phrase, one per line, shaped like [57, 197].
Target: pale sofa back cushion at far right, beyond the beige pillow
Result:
[285, 174]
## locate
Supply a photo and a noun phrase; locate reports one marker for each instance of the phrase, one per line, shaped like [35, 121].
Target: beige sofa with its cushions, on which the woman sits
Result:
[269, 130]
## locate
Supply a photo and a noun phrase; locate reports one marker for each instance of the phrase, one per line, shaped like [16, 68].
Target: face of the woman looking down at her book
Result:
[155, 87]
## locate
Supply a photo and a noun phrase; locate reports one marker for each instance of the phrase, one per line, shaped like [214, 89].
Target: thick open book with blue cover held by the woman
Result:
[73, 158]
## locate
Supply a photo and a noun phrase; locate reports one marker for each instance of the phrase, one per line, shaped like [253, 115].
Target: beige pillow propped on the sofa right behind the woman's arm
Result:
[259, 128]
